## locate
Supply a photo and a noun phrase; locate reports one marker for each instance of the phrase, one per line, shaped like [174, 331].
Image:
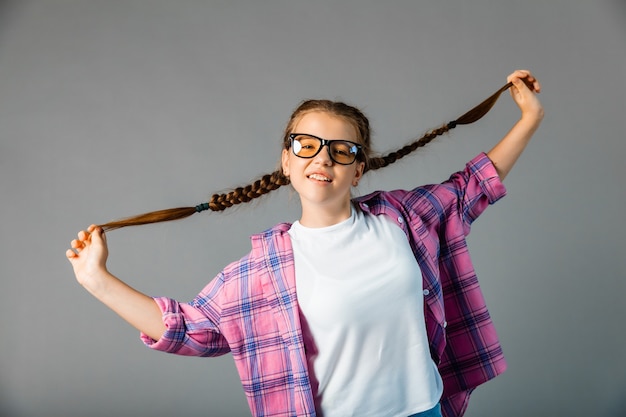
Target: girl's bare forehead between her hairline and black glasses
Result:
[325, 125]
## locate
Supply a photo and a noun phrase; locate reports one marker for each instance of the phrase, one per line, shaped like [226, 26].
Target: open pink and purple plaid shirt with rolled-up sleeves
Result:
[250, 309]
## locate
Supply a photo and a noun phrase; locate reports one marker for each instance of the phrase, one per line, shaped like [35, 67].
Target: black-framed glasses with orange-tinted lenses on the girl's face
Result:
[340, 151]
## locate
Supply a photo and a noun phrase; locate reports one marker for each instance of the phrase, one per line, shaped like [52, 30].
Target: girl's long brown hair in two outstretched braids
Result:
[276, 179]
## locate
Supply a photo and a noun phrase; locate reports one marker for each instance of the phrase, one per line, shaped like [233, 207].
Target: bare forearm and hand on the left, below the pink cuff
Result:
[88, 258]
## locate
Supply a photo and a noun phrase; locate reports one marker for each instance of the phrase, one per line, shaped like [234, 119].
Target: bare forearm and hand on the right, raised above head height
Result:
[524, 92]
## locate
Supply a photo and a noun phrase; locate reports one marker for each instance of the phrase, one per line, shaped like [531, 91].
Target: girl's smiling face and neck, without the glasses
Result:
[322, 184]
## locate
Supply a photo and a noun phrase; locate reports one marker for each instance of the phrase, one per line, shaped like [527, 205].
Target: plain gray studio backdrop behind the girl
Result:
[112, 108]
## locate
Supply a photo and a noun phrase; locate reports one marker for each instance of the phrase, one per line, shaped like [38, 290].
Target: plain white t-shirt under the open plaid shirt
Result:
[359, 288]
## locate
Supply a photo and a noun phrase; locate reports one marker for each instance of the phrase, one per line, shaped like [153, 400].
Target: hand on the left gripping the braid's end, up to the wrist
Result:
[88, 256]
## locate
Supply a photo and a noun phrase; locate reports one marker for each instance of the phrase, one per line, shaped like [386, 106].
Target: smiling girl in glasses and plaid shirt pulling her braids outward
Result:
[328, 316]
